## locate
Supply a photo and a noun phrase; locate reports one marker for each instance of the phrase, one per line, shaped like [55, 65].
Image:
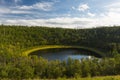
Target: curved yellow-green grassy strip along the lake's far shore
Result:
[30, 50]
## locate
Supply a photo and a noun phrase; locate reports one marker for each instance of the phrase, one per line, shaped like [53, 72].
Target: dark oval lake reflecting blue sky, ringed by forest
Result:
[63, 53]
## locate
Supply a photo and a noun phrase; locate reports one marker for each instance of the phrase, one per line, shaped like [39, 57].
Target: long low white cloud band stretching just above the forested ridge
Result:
[69, 22]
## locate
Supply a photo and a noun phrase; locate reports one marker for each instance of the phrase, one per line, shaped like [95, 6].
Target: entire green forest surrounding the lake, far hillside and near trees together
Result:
[16, 39]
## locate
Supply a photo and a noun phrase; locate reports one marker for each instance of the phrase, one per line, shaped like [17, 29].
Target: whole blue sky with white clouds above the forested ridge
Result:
[60, 13]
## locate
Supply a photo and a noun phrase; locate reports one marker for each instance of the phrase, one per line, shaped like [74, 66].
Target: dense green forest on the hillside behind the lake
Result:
[15, 39]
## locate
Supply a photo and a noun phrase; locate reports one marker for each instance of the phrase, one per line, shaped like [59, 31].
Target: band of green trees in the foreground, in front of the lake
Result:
[26, 67]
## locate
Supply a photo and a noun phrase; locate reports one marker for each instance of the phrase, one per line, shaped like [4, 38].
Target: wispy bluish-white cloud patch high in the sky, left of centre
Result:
[45, 6]
